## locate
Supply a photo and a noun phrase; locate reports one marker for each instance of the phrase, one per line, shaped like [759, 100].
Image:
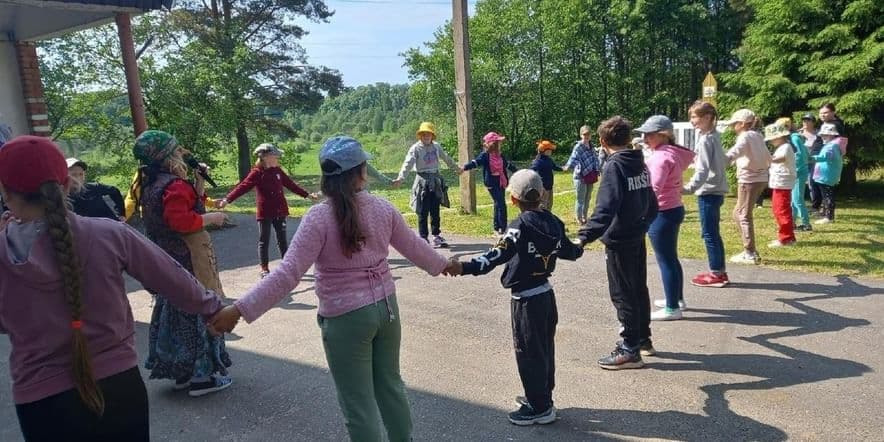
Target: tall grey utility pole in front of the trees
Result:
[463, 99]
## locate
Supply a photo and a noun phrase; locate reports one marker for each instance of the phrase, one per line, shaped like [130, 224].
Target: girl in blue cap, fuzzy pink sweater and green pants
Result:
[348, 237]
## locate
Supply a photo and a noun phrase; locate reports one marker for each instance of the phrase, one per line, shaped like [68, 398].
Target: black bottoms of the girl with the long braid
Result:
[64, 416]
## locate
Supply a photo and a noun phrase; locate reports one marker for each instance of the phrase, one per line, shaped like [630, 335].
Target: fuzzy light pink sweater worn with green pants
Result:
[343, 284]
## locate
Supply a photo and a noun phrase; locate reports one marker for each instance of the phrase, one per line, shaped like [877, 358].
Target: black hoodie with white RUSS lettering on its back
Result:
[626, 204]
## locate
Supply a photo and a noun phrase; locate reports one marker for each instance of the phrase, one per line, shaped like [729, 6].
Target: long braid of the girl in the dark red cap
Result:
[69, 264]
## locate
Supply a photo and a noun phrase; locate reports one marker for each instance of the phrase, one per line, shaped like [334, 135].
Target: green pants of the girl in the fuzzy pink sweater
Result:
[362, 350]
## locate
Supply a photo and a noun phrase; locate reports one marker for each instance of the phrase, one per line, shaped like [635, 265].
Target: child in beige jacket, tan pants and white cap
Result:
[753, 161]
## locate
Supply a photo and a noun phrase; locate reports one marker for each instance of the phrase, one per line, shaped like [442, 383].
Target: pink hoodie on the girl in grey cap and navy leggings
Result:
[666, 166]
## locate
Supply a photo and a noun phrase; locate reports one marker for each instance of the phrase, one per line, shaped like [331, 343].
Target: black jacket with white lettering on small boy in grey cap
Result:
[530, 247]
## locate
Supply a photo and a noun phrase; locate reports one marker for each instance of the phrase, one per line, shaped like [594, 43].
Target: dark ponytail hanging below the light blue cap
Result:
[341, 191]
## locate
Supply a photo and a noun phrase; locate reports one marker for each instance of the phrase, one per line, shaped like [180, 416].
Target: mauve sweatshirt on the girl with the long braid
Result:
[35, 315]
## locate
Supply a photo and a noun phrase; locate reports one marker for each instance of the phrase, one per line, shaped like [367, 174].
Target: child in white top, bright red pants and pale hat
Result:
[782, 180]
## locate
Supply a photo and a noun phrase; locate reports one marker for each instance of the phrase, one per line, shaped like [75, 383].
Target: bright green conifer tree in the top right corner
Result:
[798, 55]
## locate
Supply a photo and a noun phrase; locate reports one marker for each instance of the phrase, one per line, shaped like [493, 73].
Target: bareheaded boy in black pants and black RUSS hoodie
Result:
[625, 208]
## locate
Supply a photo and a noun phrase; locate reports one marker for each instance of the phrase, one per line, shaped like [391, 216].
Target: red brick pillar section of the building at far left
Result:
[32, 88]
